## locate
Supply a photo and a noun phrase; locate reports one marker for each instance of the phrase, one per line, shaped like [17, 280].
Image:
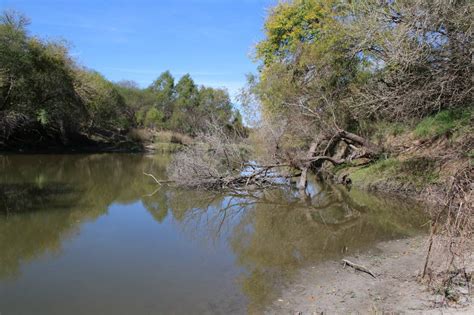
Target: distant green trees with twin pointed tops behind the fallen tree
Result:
[182, 107]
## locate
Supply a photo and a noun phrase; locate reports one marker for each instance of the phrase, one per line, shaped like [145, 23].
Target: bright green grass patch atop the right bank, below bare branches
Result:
[443, 123]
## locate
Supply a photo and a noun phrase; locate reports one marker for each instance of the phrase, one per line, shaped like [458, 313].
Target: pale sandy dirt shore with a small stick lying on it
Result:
[331, 288]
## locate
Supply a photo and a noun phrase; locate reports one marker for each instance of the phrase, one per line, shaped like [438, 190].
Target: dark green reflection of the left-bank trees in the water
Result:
[44, 199]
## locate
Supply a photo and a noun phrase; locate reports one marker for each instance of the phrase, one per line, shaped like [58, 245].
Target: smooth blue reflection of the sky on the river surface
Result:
[126, 263]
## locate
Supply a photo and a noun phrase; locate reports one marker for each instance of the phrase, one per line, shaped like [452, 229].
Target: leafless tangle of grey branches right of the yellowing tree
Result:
[420, 53]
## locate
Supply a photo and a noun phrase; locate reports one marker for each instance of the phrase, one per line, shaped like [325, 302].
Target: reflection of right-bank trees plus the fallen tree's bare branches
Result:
[274, 233]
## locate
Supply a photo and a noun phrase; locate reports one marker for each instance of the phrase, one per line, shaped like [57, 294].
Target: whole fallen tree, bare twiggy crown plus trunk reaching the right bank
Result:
[219, 161]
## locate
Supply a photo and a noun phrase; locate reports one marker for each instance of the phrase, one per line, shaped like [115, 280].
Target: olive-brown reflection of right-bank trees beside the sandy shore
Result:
[274, 241]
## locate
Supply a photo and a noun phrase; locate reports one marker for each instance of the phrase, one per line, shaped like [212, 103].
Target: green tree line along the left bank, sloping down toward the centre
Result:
[45, 93]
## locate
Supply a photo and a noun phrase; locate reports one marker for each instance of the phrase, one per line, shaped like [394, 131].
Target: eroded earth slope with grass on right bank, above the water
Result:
[422, 161]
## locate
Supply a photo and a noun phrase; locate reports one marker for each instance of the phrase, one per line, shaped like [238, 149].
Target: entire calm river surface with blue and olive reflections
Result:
[90, 234]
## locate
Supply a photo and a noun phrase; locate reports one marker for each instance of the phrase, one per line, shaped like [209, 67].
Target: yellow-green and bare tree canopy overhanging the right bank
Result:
[329, 65]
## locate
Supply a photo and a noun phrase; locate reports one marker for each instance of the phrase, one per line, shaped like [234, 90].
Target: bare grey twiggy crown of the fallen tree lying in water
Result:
[219, 160]
